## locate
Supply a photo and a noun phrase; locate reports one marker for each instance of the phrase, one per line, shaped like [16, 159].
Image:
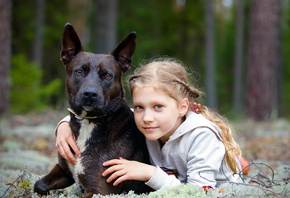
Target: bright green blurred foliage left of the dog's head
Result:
[27, 91]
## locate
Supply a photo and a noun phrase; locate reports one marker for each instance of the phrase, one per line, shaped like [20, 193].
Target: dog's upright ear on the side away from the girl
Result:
[71, 44]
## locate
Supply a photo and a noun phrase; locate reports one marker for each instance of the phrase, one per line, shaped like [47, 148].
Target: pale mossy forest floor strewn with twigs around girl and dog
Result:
[27, 152]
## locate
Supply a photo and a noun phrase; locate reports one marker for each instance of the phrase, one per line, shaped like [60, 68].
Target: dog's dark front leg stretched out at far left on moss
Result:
[57, 178]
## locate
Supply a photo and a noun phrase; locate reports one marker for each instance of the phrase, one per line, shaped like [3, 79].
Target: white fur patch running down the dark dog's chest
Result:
[85, 134]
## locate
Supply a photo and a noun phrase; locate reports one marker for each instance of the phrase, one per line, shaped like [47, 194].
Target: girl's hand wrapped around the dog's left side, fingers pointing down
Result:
[65, 140]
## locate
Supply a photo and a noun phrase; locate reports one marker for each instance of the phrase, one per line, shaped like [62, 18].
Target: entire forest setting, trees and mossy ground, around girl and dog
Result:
[237, 51]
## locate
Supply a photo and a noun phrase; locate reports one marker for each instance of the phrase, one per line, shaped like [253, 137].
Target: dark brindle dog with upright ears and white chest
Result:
[101, 120]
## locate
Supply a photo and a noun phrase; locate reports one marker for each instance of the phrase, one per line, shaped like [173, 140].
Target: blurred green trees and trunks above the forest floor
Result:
[236, 49]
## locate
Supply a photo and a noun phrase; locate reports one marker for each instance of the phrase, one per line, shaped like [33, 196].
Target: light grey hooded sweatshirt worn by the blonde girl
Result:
[196, 151]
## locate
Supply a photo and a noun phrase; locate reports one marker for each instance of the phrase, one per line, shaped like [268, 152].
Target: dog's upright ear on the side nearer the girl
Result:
[123, 53]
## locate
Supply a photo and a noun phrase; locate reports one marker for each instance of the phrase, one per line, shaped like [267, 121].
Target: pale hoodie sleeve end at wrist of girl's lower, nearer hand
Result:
[160, 179]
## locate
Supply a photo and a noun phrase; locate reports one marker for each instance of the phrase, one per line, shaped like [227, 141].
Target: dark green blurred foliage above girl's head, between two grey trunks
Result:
[165, 28]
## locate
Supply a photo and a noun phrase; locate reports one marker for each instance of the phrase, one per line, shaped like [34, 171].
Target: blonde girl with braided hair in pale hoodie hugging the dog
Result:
[187, 142]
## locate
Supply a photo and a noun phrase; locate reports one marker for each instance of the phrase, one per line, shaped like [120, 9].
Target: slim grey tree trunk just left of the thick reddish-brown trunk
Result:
[237, 100]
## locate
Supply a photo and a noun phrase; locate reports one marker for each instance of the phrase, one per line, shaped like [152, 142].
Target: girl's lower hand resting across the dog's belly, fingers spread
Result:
[123, 170]
